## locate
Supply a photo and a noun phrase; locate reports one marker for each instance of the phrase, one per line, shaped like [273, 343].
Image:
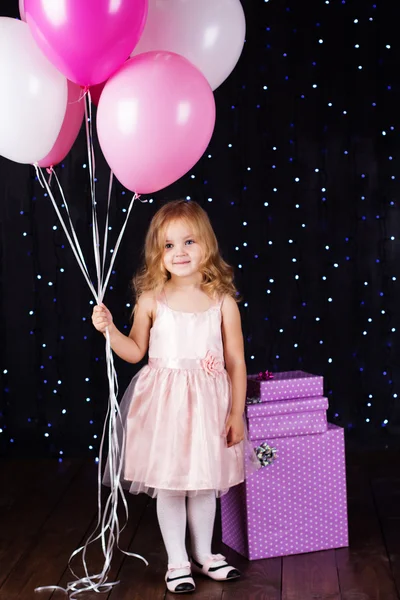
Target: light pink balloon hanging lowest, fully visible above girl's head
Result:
[154, 121]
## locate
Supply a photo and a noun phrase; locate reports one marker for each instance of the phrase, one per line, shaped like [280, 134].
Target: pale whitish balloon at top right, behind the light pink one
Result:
[209, 33]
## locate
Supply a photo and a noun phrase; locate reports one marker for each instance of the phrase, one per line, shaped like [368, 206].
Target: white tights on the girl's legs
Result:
[172, 517]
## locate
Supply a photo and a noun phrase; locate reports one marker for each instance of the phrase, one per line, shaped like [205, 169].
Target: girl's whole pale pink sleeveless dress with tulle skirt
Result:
[175, 409]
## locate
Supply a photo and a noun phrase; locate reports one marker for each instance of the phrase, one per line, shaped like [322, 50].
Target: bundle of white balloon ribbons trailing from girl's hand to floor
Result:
[108, 528]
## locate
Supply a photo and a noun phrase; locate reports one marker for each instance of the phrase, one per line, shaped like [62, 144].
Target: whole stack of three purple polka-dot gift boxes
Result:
[296, 501]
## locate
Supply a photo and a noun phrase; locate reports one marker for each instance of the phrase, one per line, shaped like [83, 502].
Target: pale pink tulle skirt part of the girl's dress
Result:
[175, 434]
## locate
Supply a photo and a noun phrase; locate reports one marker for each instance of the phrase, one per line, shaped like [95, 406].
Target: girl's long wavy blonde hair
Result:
[217, 274]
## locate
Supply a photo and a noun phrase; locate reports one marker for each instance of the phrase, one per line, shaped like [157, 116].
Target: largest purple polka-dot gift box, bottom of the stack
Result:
[295, 504]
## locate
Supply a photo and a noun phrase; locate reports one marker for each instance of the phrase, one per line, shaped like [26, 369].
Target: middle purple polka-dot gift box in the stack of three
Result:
[287, 417]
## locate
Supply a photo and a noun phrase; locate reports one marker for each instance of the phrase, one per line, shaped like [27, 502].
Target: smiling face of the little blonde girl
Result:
[182, 251]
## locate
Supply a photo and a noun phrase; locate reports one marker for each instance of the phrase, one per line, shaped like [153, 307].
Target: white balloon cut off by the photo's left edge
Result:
[33, 96]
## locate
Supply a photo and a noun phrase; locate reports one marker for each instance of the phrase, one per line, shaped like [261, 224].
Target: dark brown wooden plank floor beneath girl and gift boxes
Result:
[47, 509]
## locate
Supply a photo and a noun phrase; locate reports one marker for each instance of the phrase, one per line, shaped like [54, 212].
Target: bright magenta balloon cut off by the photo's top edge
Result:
[87, 40]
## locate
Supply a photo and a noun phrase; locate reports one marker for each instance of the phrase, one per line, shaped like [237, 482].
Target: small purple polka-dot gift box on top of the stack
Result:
[286, 385]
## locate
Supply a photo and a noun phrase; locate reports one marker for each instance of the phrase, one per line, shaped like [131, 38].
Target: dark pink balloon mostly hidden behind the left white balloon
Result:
[69, 129]
